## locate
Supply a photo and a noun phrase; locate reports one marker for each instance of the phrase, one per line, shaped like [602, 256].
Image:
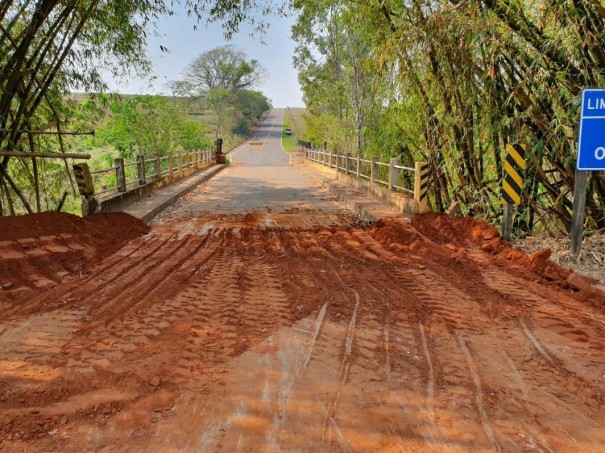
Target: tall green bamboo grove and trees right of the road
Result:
[453, 82]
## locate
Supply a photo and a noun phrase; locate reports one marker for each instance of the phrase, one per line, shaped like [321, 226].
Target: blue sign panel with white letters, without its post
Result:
[591, 142]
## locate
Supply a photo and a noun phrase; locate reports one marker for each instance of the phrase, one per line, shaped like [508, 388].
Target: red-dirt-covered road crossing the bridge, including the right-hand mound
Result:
[258, 315]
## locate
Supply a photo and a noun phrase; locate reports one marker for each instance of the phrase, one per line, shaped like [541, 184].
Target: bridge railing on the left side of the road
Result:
[128, 175]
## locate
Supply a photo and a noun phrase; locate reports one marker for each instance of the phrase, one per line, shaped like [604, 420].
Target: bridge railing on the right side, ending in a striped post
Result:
[391, 175]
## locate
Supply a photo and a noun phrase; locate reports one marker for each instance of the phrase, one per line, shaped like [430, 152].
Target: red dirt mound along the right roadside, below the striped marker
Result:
[454, 235]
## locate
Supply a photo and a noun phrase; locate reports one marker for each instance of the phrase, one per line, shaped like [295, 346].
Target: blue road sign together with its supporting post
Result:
[591, 157]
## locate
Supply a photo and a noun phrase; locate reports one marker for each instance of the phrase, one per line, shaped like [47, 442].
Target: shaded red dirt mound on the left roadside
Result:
[40, 250]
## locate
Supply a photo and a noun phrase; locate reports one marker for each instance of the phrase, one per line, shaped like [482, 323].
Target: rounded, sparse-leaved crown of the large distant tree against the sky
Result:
[223, 68]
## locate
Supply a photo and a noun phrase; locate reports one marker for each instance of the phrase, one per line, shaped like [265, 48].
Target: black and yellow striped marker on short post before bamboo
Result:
[512, 185]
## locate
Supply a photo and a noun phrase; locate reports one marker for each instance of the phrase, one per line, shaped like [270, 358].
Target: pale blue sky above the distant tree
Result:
[184, 44]
